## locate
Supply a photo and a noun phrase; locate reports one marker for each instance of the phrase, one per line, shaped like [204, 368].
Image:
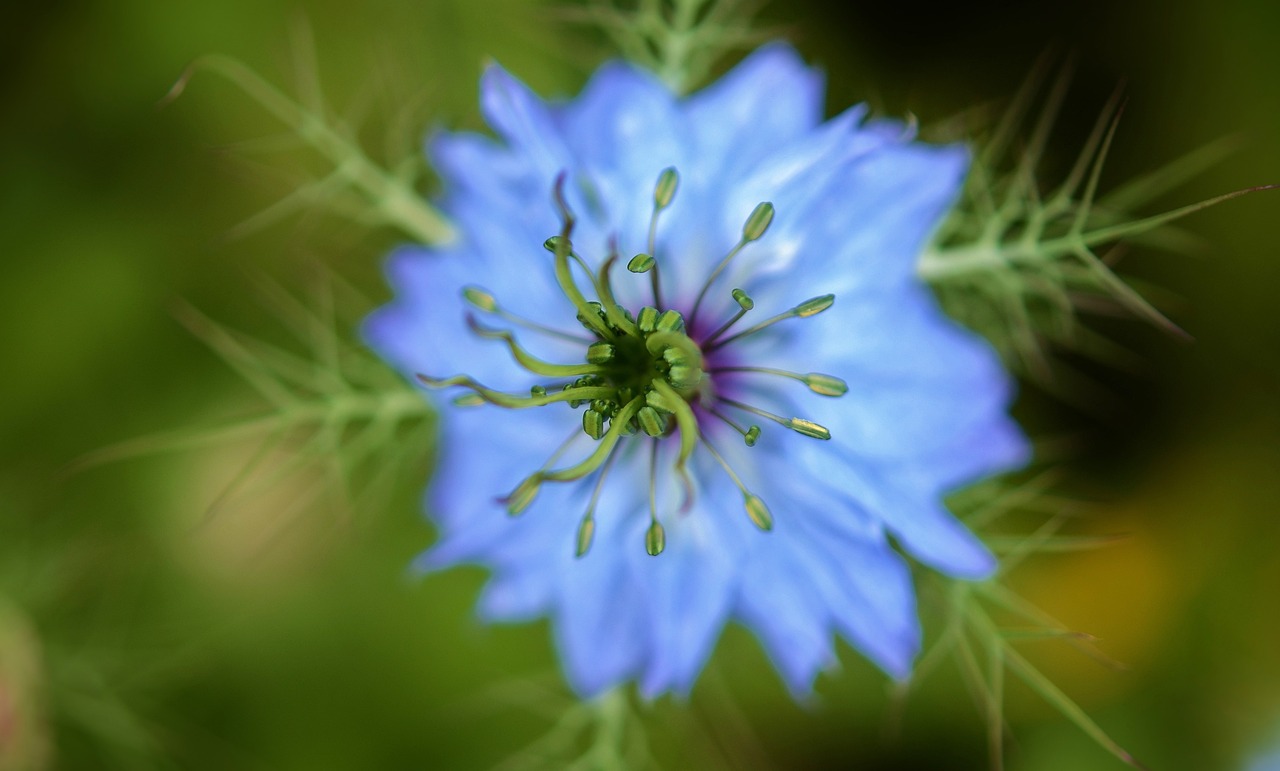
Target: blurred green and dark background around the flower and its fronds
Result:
[138, 632]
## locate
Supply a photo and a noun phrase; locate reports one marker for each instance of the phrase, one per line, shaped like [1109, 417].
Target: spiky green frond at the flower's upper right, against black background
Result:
[1020, 262]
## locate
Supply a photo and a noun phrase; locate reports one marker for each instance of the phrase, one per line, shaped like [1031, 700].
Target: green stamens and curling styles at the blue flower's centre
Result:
[642, 373]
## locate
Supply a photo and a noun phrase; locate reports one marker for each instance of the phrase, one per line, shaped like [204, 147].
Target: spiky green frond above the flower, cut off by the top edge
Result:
[679, 40]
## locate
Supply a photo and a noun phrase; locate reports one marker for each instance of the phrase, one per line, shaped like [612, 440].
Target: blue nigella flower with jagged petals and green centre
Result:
[689, 350]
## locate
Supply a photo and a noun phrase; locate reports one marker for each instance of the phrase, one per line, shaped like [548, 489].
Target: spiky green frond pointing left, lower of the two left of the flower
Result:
[335, 410]
